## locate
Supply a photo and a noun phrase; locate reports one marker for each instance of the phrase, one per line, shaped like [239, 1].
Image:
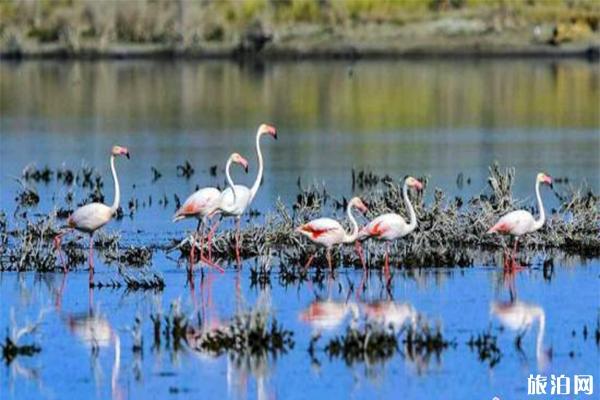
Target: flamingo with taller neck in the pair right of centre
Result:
[392, 226]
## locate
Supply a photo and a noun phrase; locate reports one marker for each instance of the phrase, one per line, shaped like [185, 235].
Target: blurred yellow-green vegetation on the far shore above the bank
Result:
[301, 27]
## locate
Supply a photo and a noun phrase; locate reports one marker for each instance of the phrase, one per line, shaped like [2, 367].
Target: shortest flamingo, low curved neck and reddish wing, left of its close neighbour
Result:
[328, 232]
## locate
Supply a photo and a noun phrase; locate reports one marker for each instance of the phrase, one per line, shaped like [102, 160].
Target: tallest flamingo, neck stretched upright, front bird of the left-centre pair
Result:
[236, 199]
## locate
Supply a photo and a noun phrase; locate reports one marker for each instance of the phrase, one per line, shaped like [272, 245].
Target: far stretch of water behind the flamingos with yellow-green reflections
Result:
[420, 118]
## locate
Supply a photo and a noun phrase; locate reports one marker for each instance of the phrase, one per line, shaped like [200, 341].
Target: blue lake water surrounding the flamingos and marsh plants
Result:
[424, 118]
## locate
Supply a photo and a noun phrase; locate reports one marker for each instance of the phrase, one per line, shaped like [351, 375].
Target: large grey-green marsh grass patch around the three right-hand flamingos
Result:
[451, 232]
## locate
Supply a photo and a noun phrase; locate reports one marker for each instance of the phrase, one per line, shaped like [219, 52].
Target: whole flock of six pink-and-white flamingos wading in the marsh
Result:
[208, 202]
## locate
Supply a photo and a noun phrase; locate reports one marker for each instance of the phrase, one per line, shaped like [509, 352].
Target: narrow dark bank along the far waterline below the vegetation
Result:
[470, 49]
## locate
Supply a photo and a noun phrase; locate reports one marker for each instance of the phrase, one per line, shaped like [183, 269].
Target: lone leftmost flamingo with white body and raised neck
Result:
[91, 217]
